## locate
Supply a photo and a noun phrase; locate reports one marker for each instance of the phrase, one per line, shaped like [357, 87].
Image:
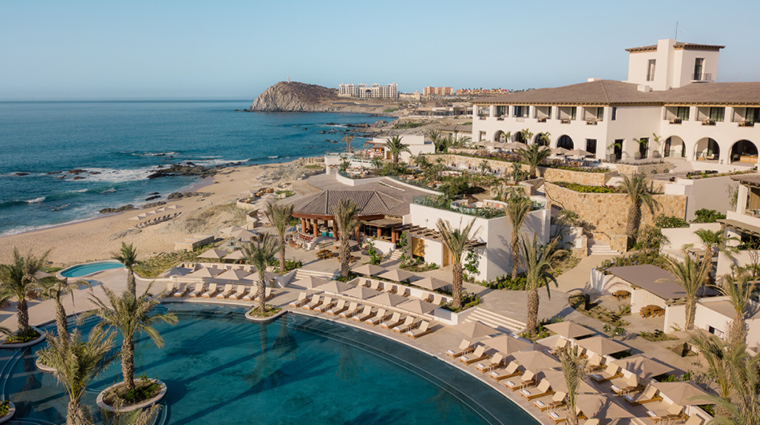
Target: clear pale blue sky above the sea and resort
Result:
[229, 49]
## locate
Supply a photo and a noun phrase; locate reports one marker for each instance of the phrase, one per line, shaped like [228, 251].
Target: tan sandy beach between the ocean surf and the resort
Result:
[95, 239]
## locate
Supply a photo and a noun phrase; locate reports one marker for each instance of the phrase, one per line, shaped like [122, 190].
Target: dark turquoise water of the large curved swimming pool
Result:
[221, 369]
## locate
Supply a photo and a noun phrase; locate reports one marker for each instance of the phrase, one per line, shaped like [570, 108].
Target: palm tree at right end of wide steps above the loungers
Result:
[537, 261]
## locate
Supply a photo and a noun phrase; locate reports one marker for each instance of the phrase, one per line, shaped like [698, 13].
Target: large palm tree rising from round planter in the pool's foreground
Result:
[129, 315]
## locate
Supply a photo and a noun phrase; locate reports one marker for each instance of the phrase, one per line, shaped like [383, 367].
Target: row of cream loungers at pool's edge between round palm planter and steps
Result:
[366, 314]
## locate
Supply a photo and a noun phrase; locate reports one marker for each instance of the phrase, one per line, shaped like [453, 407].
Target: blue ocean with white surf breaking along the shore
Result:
[119, 144]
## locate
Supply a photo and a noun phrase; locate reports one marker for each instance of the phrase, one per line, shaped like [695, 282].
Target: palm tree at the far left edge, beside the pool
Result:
[17, 280]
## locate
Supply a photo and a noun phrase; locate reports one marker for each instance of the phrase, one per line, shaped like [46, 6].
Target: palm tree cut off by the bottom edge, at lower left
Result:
[76, 364]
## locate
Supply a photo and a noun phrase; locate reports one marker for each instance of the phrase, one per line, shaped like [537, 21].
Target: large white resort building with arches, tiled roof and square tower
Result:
[671, 92]
